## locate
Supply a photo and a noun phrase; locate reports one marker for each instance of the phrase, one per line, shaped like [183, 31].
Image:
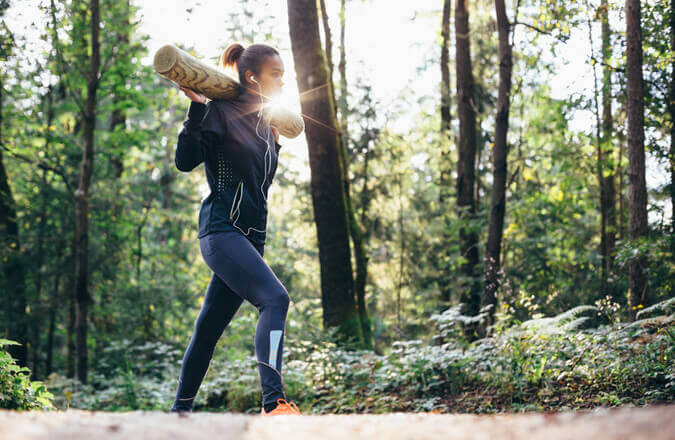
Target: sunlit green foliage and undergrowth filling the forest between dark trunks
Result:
[147, 278]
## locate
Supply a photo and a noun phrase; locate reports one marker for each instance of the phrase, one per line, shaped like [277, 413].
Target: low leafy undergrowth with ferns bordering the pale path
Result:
[571, 360]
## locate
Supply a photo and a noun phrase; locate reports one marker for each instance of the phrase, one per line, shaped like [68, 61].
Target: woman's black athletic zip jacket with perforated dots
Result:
[222, 134]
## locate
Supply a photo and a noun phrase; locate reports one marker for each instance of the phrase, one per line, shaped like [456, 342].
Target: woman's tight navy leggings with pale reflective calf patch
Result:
[239, 272]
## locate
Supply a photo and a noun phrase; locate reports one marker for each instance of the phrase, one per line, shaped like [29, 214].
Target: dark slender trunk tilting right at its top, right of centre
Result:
[499, 165]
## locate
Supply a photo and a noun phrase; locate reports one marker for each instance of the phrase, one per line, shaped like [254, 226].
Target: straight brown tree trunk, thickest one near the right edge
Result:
[637, 269]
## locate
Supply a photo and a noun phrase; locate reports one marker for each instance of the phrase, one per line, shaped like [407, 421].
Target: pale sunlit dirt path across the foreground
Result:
[649, 422]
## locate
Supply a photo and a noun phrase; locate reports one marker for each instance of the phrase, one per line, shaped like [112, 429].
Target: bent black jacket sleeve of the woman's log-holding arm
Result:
[203, 128]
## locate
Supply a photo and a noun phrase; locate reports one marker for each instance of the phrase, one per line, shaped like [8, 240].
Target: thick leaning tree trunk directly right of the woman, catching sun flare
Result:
[327, 189]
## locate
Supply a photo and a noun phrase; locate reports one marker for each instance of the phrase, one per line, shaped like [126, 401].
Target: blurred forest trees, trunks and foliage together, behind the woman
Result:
[98, 229]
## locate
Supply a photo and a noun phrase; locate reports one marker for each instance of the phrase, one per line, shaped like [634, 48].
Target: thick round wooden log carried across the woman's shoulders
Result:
[180, 67]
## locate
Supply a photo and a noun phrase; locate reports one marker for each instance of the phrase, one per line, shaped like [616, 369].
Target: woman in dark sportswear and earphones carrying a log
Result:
[240, 151]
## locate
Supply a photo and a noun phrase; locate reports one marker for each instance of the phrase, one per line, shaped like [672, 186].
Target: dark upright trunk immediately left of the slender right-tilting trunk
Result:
[470, 296]
